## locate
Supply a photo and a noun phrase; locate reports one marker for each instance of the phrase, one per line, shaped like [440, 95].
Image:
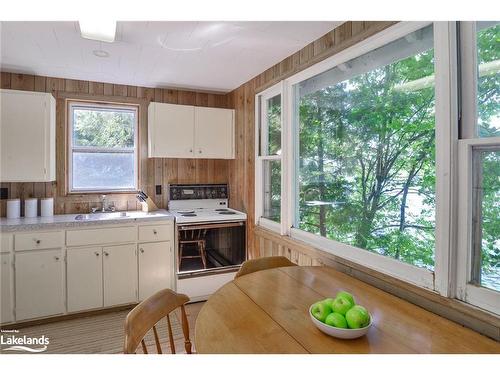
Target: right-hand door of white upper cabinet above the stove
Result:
[214, 133]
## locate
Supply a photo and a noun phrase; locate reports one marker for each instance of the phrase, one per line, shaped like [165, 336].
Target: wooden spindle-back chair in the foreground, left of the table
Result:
[149, 312]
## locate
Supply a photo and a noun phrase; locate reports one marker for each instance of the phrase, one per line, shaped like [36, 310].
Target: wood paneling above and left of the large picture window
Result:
[242, 169]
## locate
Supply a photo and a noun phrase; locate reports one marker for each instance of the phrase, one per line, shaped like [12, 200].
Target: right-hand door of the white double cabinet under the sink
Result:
[120, 274]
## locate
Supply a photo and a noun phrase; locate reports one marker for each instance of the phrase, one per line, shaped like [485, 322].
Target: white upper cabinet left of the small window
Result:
[28, 136]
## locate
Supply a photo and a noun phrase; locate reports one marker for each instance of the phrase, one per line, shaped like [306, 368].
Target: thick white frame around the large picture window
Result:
[446, 136]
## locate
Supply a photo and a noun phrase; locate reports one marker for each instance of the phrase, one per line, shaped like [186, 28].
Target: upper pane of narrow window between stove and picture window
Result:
[271, 137]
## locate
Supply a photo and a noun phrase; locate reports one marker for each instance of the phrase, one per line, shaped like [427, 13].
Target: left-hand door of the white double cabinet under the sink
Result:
[84, 278]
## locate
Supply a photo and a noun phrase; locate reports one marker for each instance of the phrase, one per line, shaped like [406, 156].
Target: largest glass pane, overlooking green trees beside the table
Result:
[366, 168]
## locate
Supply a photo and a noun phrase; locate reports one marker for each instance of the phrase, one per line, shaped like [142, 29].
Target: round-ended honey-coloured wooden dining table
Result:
[268, 312]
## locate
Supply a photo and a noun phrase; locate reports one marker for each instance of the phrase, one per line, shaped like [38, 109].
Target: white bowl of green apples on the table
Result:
[341, 317]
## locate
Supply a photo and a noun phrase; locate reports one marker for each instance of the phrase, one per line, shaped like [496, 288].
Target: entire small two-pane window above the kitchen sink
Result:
[103, 147]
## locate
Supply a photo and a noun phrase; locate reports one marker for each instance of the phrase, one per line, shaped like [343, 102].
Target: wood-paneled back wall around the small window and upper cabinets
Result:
[156, 171]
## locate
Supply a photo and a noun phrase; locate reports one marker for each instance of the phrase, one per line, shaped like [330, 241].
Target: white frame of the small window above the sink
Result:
[71, 148]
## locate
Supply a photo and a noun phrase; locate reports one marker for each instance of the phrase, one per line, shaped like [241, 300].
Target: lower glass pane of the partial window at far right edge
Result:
[487, 223]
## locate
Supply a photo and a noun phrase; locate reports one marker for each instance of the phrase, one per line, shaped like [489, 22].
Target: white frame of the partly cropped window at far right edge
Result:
[476, 295]
